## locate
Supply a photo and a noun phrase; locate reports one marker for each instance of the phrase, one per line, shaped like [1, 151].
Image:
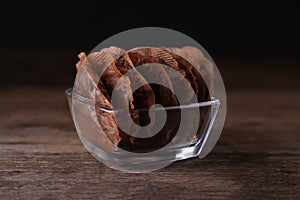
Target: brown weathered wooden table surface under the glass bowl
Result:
[257, 156]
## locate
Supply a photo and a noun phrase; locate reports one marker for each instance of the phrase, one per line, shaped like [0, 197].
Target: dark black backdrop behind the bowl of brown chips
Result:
[39, 41]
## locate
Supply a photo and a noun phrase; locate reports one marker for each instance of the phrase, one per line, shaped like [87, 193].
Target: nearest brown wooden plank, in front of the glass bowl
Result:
[218, 176]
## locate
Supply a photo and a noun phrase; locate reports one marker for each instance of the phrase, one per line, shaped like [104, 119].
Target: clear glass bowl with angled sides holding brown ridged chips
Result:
[188, 144]
